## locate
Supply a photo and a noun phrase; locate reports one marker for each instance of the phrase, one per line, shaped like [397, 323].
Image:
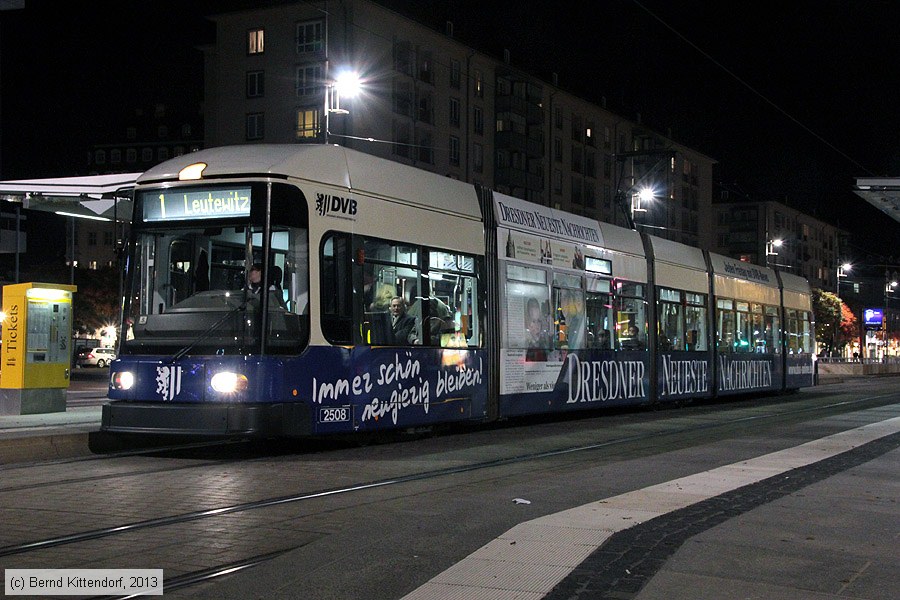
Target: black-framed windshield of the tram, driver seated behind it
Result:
[211, 284]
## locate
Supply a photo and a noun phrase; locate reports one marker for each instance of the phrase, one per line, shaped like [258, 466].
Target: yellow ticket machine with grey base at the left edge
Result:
[35, 359]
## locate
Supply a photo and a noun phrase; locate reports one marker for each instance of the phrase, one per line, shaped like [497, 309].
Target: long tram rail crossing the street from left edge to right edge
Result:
[211, 513]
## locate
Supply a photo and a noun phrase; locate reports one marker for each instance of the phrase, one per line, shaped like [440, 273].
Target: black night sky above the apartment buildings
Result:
[793, 100]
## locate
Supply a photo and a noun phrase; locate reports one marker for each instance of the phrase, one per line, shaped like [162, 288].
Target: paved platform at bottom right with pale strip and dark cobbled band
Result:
[817, 521]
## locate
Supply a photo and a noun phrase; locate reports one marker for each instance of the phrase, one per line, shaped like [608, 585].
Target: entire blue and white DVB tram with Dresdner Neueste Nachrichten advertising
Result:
[511, 308]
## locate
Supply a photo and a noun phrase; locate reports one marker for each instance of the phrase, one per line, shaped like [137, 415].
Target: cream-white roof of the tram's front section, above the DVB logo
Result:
[331, 165]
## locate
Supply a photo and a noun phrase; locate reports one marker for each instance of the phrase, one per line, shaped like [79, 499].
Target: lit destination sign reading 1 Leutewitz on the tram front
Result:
[184, 204]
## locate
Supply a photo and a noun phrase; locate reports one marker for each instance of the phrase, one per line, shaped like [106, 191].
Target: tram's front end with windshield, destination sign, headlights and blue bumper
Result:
[216, 303]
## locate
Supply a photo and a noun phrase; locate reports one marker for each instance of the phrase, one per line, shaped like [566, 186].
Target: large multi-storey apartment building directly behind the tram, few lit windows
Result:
[435, 103]
